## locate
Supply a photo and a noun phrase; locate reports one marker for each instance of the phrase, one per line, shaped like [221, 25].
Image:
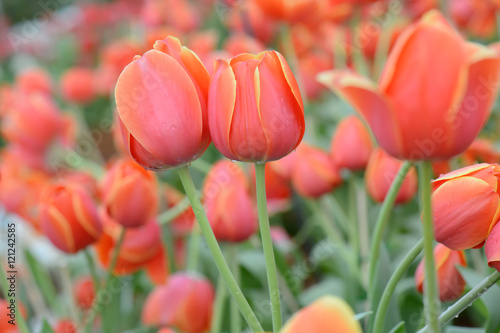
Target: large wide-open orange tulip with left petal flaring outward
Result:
[434, 96]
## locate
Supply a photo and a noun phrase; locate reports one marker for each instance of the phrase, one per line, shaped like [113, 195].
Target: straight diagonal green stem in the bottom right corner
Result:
[466, 301]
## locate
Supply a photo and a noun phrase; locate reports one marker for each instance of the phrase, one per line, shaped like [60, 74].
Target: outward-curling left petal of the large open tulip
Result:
[370, 103]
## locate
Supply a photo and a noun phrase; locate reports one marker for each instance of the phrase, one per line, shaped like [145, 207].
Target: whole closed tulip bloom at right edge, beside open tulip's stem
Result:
[466, 205]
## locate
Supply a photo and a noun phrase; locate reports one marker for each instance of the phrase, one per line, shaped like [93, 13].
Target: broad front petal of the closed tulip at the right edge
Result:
[463, 218]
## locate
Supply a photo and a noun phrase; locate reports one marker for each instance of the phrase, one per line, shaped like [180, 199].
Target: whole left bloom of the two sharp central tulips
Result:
[161, 100]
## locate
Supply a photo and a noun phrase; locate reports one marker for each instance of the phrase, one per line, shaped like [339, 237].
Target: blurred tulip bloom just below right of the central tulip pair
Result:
[314, 173]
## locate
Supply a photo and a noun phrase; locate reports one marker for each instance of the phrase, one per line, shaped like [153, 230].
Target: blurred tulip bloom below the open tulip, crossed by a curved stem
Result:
[380, 173]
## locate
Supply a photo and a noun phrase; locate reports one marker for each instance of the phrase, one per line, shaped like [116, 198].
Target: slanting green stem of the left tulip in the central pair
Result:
[217, 255]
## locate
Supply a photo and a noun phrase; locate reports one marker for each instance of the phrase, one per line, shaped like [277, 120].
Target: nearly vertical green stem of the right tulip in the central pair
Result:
[267, 245]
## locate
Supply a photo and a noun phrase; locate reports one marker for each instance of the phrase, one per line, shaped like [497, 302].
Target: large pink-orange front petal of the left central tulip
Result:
[158, 104]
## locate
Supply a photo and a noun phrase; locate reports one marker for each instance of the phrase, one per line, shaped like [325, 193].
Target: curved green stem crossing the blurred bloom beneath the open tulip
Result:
[382, 220]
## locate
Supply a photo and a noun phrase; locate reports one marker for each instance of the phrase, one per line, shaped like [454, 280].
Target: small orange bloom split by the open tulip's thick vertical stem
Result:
[451, 282]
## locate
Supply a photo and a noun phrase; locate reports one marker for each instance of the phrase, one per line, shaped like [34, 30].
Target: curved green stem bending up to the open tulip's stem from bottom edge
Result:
[391, 286]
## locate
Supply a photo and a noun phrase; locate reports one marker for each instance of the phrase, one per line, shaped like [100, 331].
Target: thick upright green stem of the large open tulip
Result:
[432, 304]
